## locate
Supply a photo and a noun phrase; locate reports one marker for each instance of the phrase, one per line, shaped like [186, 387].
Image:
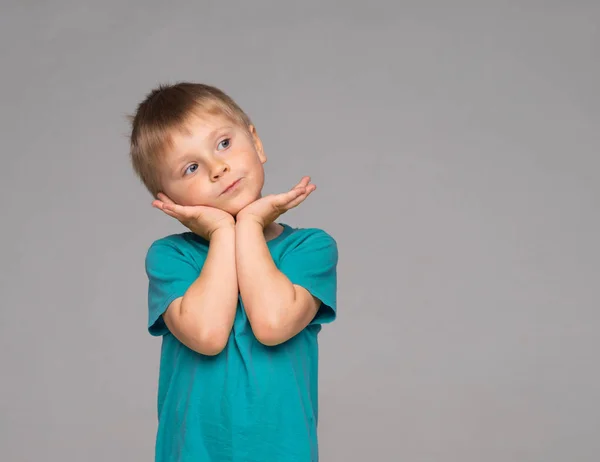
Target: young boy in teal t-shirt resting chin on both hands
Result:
[240, 298]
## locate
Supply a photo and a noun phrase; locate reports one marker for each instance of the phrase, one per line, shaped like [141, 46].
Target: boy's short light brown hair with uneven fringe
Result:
[166, 109]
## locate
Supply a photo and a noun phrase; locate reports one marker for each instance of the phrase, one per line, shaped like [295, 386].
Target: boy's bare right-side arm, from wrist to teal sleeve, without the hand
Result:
[276, 308]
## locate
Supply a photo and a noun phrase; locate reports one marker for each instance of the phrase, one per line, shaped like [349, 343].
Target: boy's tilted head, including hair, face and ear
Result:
[191, 142]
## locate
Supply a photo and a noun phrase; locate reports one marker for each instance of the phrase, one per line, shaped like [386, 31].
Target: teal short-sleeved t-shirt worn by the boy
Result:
[251, 402]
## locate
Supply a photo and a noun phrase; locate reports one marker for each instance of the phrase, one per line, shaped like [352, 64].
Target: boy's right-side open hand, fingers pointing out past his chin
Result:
[267, 209]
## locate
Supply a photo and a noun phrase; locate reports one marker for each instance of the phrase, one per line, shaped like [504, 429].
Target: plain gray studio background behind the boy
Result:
[456, 153]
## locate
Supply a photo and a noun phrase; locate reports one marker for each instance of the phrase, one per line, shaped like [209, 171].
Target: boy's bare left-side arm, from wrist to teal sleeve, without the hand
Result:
[202, 319]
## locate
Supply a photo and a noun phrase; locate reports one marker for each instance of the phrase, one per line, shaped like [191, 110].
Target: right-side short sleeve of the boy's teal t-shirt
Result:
[312, 264]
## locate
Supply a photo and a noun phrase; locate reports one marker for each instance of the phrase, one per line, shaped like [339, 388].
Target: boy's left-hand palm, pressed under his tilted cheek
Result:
[199, 219]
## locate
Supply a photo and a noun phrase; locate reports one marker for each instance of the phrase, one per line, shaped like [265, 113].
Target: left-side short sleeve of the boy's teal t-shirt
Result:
[170, 273]
